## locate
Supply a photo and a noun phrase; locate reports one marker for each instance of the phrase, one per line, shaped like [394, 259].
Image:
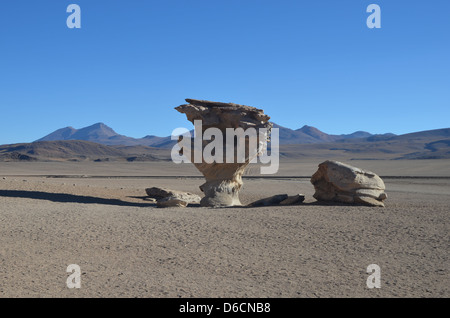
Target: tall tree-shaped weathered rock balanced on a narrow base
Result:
[223, 177]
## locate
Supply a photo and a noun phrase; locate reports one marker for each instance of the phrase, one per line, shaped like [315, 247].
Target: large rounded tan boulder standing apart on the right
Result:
[339, 182]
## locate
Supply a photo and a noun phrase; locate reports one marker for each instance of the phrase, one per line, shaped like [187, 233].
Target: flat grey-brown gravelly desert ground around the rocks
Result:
[95, 215]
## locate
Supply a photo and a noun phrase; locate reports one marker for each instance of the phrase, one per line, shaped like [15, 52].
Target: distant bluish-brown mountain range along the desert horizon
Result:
[101, 143]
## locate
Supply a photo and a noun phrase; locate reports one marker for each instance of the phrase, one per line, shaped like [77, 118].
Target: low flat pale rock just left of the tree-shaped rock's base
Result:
[167, 197]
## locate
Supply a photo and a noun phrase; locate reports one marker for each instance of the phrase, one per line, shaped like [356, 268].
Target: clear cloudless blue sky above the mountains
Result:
[303, 62]
